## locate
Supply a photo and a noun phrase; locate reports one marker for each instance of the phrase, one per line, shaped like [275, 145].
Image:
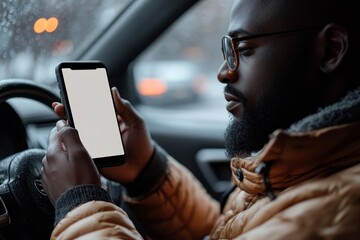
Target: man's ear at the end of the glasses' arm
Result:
[335, 42]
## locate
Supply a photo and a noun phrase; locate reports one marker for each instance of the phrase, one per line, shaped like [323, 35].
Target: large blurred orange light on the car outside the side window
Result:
[152, 87]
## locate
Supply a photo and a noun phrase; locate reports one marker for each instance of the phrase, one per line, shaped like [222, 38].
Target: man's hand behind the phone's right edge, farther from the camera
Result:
[136, 138]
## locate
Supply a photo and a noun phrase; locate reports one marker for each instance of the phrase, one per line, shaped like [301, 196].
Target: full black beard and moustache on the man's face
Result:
[277, 109]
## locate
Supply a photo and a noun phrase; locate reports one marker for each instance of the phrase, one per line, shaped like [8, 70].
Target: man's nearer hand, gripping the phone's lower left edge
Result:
[66, 156]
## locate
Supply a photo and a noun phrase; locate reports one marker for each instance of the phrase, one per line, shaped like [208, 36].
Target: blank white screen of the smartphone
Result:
[93, 111]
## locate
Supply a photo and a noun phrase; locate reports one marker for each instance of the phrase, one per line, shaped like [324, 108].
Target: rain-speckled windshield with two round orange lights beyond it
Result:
[37, 34]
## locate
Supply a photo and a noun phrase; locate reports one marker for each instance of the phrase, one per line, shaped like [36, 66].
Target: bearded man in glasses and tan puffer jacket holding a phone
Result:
[290, 74]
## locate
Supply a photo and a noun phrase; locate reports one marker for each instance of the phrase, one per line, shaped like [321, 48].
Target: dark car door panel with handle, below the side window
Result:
[198, 146]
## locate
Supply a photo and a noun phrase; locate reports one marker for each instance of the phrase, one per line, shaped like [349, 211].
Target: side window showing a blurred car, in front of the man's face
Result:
[177, 74]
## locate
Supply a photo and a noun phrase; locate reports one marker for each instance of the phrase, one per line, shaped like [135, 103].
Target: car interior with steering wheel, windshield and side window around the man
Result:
[187, 119]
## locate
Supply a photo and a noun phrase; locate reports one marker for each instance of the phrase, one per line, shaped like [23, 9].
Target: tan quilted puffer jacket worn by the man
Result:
[315, 176]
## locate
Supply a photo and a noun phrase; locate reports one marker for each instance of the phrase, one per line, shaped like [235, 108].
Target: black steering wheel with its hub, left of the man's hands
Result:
[25, 210]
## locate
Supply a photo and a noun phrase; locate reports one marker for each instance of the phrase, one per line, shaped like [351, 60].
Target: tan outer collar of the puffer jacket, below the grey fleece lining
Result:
[297, 157]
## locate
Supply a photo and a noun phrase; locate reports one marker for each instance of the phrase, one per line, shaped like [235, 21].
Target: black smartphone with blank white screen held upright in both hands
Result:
[86, 95]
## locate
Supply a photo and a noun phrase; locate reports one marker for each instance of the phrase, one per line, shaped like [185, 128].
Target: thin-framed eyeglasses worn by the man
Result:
[230, 45]
